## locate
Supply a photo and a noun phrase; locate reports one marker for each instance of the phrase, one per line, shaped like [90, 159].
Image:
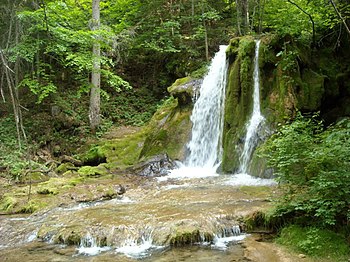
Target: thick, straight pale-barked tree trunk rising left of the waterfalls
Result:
[94, 110]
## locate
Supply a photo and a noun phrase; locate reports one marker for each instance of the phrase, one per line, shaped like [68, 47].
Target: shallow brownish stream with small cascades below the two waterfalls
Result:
[156, 220]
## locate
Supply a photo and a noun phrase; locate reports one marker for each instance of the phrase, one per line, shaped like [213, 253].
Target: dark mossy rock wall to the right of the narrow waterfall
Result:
[288, 82]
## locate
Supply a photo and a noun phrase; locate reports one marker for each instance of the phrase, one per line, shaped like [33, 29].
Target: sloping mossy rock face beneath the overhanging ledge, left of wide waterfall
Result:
[169, 132]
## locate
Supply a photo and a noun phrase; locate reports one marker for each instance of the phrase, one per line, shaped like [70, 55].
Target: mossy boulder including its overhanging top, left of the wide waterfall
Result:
[170, 127]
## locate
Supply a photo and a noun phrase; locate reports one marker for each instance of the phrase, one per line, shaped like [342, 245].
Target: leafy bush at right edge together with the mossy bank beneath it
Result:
[312, 164]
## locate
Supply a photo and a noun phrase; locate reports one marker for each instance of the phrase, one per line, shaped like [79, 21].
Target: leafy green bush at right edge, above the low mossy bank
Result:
[314, 165]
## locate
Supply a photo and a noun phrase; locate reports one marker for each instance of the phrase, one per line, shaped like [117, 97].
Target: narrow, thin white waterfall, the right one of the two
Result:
[256, 119]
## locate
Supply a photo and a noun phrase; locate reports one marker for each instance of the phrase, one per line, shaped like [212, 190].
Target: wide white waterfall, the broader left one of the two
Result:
[207, 116]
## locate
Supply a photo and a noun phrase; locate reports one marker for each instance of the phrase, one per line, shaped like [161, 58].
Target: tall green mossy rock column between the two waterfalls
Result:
[238, 103]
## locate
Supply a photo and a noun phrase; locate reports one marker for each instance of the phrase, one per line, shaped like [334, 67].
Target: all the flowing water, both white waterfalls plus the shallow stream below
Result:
[193, 204]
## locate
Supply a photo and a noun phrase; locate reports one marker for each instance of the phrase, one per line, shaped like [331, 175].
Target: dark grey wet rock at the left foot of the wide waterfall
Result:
[155, 166]
